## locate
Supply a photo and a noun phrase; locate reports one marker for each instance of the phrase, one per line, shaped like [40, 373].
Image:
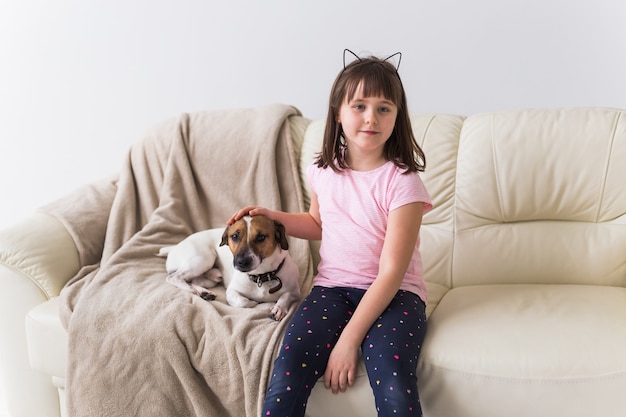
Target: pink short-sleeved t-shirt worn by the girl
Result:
[354, 207]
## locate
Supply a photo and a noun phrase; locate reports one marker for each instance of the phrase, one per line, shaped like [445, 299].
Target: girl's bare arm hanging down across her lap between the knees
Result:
[402, 231]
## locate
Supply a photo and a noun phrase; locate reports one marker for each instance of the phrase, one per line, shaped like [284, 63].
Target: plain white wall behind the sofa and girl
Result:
[80, 80]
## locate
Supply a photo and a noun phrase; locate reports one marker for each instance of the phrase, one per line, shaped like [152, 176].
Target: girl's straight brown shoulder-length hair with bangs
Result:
[378, 77]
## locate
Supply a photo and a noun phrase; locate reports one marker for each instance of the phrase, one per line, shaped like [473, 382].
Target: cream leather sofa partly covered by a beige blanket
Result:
[524, 255]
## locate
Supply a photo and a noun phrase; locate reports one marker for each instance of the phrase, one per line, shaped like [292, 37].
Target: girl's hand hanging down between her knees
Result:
[341, 368]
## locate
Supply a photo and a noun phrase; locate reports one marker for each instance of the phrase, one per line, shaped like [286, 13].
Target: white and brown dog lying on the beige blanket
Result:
[251, 258]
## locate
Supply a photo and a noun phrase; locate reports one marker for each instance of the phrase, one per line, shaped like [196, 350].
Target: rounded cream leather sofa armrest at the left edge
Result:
[37, 258]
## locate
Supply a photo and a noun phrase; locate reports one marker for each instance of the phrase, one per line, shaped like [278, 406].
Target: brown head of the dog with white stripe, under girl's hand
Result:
[253, 240]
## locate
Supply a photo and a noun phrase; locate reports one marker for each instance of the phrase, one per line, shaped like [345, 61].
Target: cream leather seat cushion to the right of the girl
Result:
[524, 348]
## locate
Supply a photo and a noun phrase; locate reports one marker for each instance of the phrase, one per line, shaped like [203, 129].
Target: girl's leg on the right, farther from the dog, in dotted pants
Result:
[390, 351]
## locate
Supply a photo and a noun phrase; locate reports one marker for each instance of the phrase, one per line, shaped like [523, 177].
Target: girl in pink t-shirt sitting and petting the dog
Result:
[367, 203]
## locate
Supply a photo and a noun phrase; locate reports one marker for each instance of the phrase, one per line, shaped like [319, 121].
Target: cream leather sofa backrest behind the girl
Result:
[520, 197]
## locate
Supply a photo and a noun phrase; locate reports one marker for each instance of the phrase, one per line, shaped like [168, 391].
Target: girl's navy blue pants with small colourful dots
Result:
[390, 352]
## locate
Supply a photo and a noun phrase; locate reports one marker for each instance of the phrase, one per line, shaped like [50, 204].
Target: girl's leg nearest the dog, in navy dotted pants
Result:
[310, 336]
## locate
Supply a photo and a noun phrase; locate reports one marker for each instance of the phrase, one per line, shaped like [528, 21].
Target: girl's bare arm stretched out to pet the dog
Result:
[302, 225]
